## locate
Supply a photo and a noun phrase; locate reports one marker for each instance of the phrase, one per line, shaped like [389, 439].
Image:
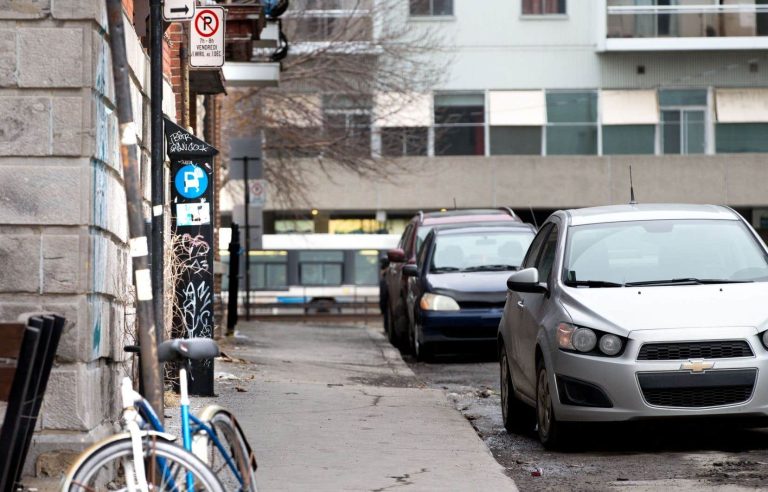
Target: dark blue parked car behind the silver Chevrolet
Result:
[457, 287]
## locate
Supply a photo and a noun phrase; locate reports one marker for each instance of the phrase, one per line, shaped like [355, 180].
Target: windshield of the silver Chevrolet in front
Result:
[663, 252]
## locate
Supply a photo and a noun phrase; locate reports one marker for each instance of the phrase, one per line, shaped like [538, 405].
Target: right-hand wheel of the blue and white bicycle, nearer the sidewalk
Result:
[231, 460]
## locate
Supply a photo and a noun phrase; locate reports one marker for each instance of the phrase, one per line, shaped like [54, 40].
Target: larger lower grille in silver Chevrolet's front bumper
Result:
[688, 390]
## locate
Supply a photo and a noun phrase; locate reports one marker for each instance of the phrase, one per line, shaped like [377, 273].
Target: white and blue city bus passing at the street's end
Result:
[310, 273]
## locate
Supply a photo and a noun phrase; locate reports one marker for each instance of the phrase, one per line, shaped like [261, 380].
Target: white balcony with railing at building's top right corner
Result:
[655, 25]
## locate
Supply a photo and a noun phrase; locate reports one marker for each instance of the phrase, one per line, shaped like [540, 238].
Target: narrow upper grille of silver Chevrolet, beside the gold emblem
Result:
[724, 349]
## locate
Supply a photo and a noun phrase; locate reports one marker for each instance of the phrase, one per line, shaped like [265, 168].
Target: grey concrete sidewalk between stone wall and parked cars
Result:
[330, 408]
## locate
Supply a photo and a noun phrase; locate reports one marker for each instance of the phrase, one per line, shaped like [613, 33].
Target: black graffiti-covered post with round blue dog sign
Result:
[192, 223]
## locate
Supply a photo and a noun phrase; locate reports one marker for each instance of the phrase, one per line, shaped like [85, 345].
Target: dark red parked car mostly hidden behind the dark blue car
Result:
[394, 285]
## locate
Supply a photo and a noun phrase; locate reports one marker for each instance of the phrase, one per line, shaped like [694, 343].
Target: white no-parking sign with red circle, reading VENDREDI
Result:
[206, 38]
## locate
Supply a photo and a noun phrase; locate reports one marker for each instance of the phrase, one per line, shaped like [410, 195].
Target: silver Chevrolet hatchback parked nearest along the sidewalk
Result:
[636, 311]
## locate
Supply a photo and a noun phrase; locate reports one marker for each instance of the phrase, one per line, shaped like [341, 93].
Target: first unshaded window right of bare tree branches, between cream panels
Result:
[459, 124]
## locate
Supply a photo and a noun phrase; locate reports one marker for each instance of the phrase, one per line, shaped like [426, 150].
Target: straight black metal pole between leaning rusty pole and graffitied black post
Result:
[157, 166]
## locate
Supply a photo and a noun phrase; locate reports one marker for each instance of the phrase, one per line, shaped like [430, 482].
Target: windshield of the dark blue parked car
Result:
[480, 251]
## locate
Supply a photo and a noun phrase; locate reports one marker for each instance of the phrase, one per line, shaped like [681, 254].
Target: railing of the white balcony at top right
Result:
[626, 19]
